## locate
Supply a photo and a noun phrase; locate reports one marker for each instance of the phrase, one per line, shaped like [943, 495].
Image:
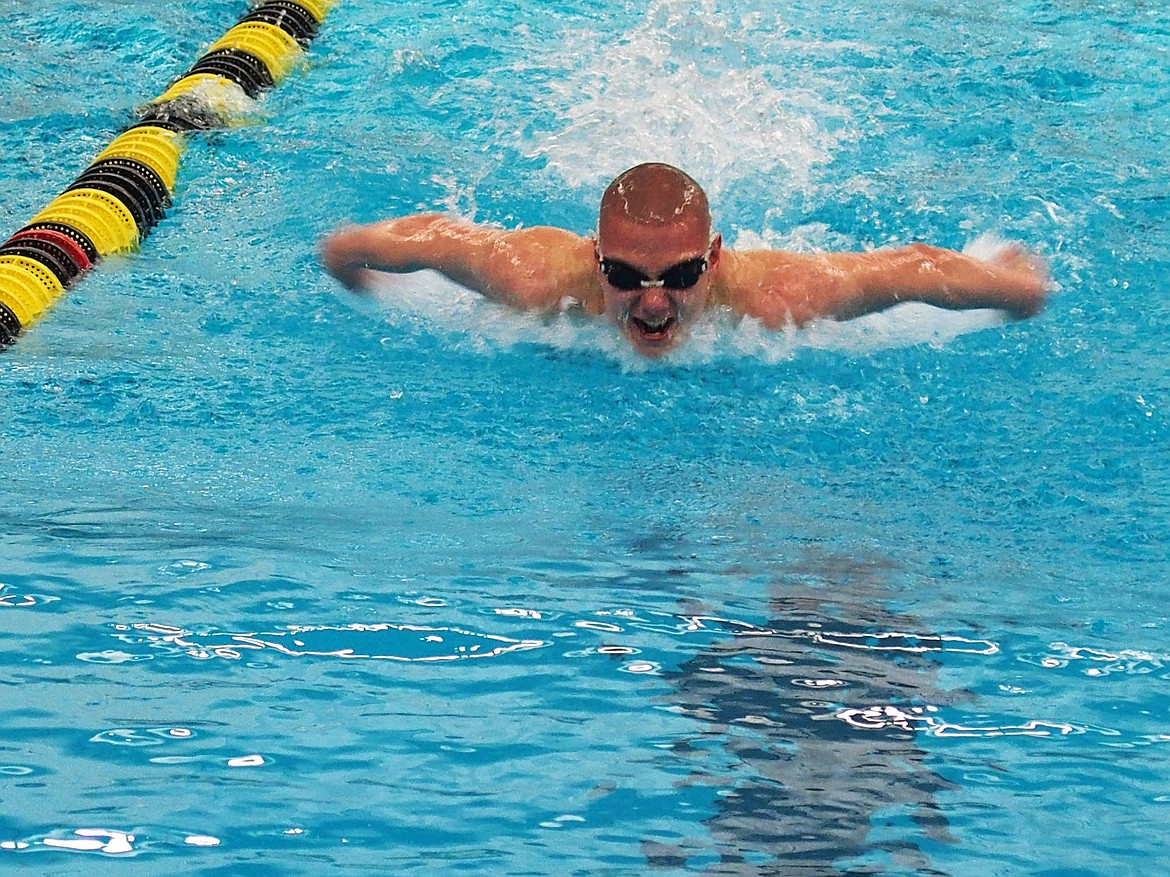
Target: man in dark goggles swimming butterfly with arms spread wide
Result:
[655, 267]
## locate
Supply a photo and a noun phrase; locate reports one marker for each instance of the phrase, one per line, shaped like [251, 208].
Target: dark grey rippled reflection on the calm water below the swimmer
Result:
[803, 791]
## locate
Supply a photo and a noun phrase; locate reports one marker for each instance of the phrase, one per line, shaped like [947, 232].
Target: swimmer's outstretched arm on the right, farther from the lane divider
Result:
[842, 286]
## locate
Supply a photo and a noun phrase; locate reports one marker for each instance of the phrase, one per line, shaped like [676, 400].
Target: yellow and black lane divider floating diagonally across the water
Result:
[129, 185]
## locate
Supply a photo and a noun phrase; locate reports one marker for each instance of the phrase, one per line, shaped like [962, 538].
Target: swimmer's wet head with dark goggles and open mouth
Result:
[656, 254]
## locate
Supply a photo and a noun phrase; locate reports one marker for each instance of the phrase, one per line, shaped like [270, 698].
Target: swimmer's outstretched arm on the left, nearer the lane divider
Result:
[519, 268]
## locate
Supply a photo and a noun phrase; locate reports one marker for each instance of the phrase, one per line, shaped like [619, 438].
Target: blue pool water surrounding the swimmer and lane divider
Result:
[319, 586]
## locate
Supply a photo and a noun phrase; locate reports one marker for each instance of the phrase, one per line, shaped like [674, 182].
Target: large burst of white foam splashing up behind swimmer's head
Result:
[693, 87]
